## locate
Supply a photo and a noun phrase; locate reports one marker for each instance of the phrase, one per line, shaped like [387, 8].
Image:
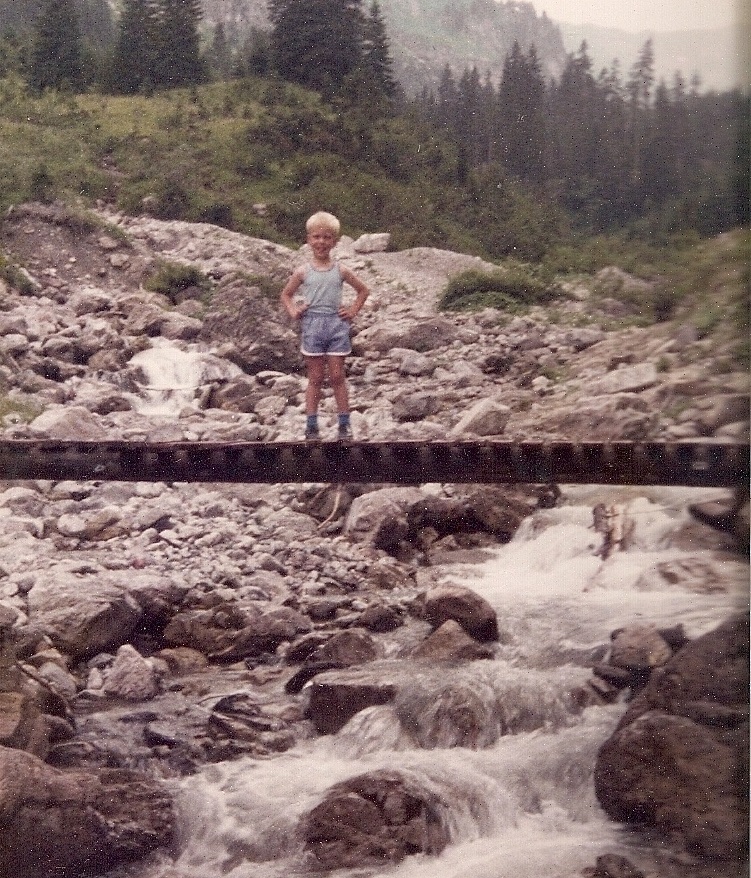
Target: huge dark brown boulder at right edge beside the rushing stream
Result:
[679, 758]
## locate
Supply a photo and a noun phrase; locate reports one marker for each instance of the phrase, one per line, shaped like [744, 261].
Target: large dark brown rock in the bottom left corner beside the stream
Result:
[74, 823]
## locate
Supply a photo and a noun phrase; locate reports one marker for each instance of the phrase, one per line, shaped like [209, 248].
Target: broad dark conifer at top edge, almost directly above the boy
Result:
[316, 43]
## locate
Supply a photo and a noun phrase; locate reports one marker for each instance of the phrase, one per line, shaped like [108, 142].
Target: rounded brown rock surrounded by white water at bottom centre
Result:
[382, 816]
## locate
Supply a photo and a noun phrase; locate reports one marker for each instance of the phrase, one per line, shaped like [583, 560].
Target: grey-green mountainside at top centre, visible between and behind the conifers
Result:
[426, 35]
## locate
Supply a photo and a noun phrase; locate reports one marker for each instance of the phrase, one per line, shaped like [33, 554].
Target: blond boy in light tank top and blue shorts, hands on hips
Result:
[325, 321]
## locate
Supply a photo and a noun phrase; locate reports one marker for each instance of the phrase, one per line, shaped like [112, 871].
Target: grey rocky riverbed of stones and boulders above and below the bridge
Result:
[151, 629]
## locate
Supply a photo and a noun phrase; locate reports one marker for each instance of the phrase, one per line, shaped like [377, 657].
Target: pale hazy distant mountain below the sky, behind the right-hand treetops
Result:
[712, 53]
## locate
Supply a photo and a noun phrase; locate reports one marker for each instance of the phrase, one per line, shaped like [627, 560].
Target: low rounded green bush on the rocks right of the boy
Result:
[511, 289]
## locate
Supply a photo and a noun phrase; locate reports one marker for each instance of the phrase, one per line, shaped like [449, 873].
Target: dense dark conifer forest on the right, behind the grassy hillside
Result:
[613, 154]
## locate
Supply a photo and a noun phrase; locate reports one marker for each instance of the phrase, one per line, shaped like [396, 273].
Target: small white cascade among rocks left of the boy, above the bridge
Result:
[174, 376]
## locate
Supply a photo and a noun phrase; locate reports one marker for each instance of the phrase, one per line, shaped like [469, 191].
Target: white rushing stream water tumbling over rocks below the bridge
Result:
[523, 805]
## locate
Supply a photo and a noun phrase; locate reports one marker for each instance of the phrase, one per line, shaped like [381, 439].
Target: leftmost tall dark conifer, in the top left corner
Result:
[55, 59]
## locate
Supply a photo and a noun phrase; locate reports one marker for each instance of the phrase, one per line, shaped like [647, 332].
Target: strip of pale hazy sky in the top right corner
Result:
[636, 15]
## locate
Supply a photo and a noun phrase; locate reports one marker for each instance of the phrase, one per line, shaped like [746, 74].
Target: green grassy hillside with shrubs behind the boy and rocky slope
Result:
[214, 152]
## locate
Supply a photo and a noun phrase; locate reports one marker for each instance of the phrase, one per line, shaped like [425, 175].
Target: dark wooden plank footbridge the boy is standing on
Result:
[695, 463]
